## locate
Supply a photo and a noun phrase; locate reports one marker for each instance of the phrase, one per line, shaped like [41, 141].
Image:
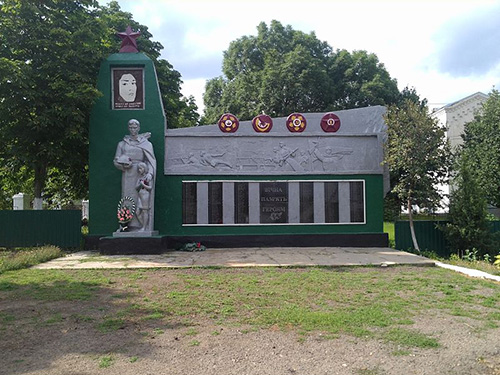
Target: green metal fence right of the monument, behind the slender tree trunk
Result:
[429, 236]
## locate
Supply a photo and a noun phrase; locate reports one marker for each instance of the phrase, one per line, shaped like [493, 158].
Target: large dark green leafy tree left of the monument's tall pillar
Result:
[48, 61]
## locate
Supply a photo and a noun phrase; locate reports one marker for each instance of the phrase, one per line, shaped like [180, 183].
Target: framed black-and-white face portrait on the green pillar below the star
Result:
[127, 88]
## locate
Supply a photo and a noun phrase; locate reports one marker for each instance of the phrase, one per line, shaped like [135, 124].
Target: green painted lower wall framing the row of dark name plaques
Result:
[172, 217]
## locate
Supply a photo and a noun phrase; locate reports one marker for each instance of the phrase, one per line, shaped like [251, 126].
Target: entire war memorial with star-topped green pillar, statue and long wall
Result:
[309, 179]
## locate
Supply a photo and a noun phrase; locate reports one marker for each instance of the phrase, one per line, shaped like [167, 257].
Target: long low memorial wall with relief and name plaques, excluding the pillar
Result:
[243, 181]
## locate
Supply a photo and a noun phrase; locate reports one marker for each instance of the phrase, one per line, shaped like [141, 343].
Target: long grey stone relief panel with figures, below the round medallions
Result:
[273, 155]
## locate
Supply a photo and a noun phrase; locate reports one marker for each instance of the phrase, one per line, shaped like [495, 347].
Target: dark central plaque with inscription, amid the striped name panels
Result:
[273, 202]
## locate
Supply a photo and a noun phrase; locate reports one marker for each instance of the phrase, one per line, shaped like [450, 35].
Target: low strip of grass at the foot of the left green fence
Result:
[24, 258]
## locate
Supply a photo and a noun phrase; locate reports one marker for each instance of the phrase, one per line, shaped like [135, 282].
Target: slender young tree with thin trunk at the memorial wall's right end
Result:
[418, 150]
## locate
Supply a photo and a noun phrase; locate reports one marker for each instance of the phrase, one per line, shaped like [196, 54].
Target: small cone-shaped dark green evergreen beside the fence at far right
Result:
[469, 227]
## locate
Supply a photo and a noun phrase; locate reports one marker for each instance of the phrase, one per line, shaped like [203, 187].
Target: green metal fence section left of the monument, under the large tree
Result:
[24, 228]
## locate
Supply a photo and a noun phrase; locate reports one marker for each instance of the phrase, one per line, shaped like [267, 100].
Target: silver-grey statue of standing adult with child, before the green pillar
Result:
[136, 159]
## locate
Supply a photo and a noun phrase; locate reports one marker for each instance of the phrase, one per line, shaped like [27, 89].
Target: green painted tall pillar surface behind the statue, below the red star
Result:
[107, 128]
